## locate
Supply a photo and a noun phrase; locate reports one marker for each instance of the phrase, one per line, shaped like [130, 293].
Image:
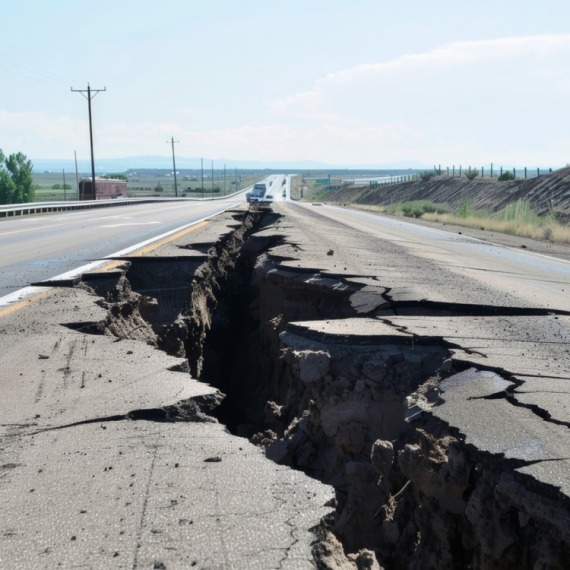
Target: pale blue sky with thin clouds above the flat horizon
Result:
[343, 83]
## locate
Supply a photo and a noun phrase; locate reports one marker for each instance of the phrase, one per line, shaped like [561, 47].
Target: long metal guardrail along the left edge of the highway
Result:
[48, 207]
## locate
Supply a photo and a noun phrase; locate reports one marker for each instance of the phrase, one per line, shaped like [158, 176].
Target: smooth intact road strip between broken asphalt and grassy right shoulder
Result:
[539, 280]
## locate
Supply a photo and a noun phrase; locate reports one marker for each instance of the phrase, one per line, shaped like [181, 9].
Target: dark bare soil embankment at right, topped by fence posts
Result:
[547, 194]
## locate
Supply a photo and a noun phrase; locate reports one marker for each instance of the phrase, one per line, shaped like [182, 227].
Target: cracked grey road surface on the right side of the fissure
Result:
[495, 308]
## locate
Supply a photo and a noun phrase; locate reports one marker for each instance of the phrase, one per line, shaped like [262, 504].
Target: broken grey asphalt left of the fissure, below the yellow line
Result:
[91, 474]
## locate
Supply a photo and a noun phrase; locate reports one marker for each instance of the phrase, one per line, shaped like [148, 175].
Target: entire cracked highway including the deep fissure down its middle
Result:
[410, 371]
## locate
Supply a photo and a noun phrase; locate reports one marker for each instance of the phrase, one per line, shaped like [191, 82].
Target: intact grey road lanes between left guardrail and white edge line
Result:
[35, 248]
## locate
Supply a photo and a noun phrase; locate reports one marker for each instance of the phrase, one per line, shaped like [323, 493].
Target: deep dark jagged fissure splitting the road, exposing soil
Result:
[353, 409]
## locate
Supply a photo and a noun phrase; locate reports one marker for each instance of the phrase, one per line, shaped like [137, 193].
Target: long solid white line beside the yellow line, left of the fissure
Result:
[27, 292]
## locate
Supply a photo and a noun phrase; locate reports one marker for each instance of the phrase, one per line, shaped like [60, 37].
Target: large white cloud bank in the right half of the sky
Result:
[494, 97]
